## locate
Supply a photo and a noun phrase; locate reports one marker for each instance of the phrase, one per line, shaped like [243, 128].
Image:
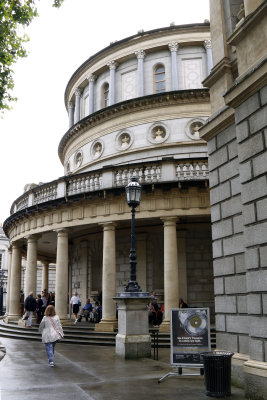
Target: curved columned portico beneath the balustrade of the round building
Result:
[89, 240]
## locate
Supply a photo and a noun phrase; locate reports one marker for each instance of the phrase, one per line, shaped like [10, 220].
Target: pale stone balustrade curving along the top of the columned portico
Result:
[165, 171]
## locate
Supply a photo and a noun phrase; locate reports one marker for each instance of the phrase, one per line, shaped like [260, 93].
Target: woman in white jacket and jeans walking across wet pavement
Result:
[52, 332]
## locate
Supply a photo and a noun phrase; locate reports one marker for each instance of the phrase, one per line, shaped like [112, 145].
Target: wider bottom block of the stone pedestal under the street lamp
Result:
[133, 346]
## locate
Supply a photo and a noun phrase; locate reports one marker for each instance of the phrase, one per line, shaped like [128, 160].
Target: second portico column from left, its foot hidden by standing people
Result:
[31, 265]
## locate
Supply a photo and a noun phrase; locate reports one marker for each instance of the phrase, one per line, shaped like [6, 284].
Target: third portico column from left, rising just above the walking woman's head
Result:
[62, 275]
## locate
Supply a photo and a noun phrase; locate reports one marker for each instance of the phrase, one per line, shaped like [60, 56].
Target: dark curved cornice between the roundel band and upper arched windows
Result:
[130, 106]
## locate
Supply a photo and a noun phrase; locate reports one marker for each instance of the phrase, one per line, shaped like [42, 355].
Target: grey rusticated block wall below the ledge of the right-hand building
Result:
[237, 161]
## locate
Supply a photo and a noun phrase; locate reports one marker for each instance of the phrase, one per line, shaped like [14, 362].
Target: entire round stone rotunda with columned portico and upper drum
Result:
[135, 107]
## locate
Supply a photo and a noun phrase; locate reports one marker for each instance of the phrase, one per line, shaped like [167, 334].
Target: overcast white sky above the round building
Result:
[60, 41]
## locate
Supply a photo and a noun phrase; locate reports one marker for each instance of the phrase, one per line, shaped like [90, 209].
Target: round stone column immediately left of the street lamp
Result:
[108, 322]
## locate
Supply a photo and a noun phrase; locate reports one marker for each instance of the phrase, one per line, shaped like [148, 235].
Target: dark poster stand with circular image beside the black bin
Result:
[190, 336]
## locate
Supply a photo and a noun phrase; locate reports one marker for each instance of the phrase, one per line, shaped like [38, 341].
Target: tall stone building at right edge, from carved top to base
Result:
[237, 140]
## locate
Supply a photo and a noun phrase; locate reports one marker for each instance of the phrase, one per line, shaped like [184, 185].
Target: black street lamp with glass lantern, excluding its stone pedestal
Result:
[133, 196]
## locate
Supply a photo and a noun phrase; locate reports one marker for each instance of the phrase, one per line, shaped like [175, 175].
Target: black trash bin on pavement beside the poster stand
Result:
[217, 373]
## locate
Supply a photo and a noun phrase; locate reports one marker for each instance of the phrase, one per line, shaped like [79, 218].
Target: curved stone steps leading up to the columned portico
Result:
[83, 333]
